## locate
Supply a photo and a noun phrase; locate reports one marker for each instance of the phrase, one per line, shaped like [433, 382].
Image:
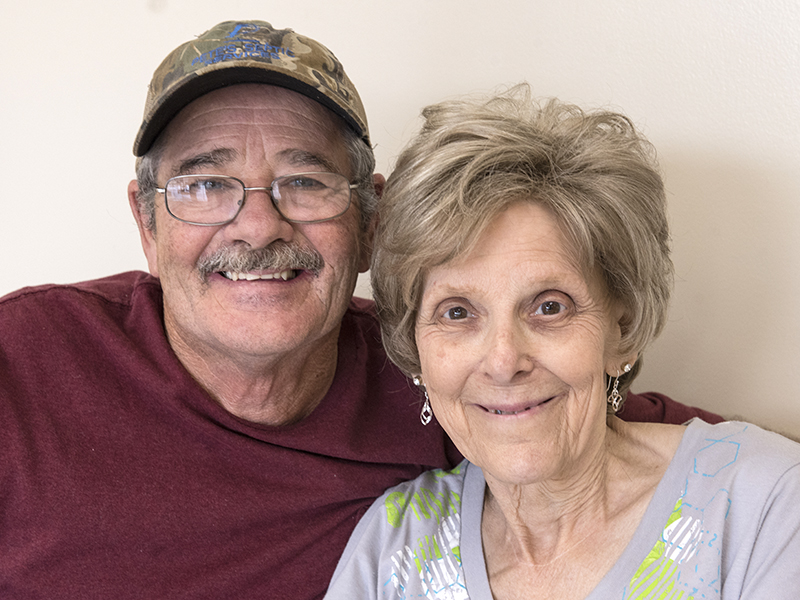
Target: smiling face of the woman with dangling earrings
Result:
[514, 342]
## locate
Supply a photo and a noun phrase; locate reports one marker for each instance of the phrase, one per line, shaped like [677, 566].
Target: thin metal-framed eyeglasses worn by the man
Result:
[217, 199]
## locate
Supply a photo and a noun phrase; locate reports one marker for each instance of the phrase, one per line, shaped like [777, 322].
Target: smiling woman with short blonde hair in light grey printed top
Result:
[522, 267]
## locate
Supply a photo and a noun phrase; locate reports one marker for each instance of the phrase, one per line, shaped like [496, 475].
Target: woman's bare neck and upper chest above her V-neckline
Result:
[540, 536]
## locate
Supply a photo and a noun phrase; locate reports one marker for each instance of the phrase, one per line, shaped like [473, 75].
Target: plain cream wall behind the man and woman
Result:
[714, 84]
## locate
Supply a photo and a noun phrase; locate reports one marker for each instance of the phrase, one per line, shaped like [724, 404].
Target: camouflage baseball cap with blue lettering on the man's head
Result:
[247, 52]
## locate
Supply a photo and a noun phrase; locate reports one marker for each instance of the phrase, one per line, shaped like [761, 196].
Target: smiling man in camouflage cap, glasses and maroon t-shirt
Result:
[215, 429]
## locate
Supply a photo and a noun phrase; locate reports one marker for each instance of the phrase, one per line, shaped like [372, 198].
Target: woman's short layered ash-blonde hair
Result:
[473, 158]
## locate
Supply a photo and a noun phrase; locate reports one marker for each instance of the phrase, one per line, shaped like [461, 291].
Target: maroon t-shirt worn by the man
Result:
[121, 478]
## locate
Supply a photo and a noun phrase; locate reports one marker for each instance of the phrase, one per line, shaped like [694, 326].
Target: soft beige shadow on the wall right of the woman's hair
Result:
[732, 343]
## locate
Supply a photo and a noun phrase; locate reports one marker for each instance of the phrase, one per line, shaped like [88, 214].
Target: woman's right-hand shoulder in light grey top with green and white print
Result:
[723, 512]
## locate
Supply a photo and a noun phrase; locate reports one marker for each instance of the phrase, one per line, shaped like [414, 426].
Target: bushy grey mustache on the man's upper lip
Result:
[276, 256]
